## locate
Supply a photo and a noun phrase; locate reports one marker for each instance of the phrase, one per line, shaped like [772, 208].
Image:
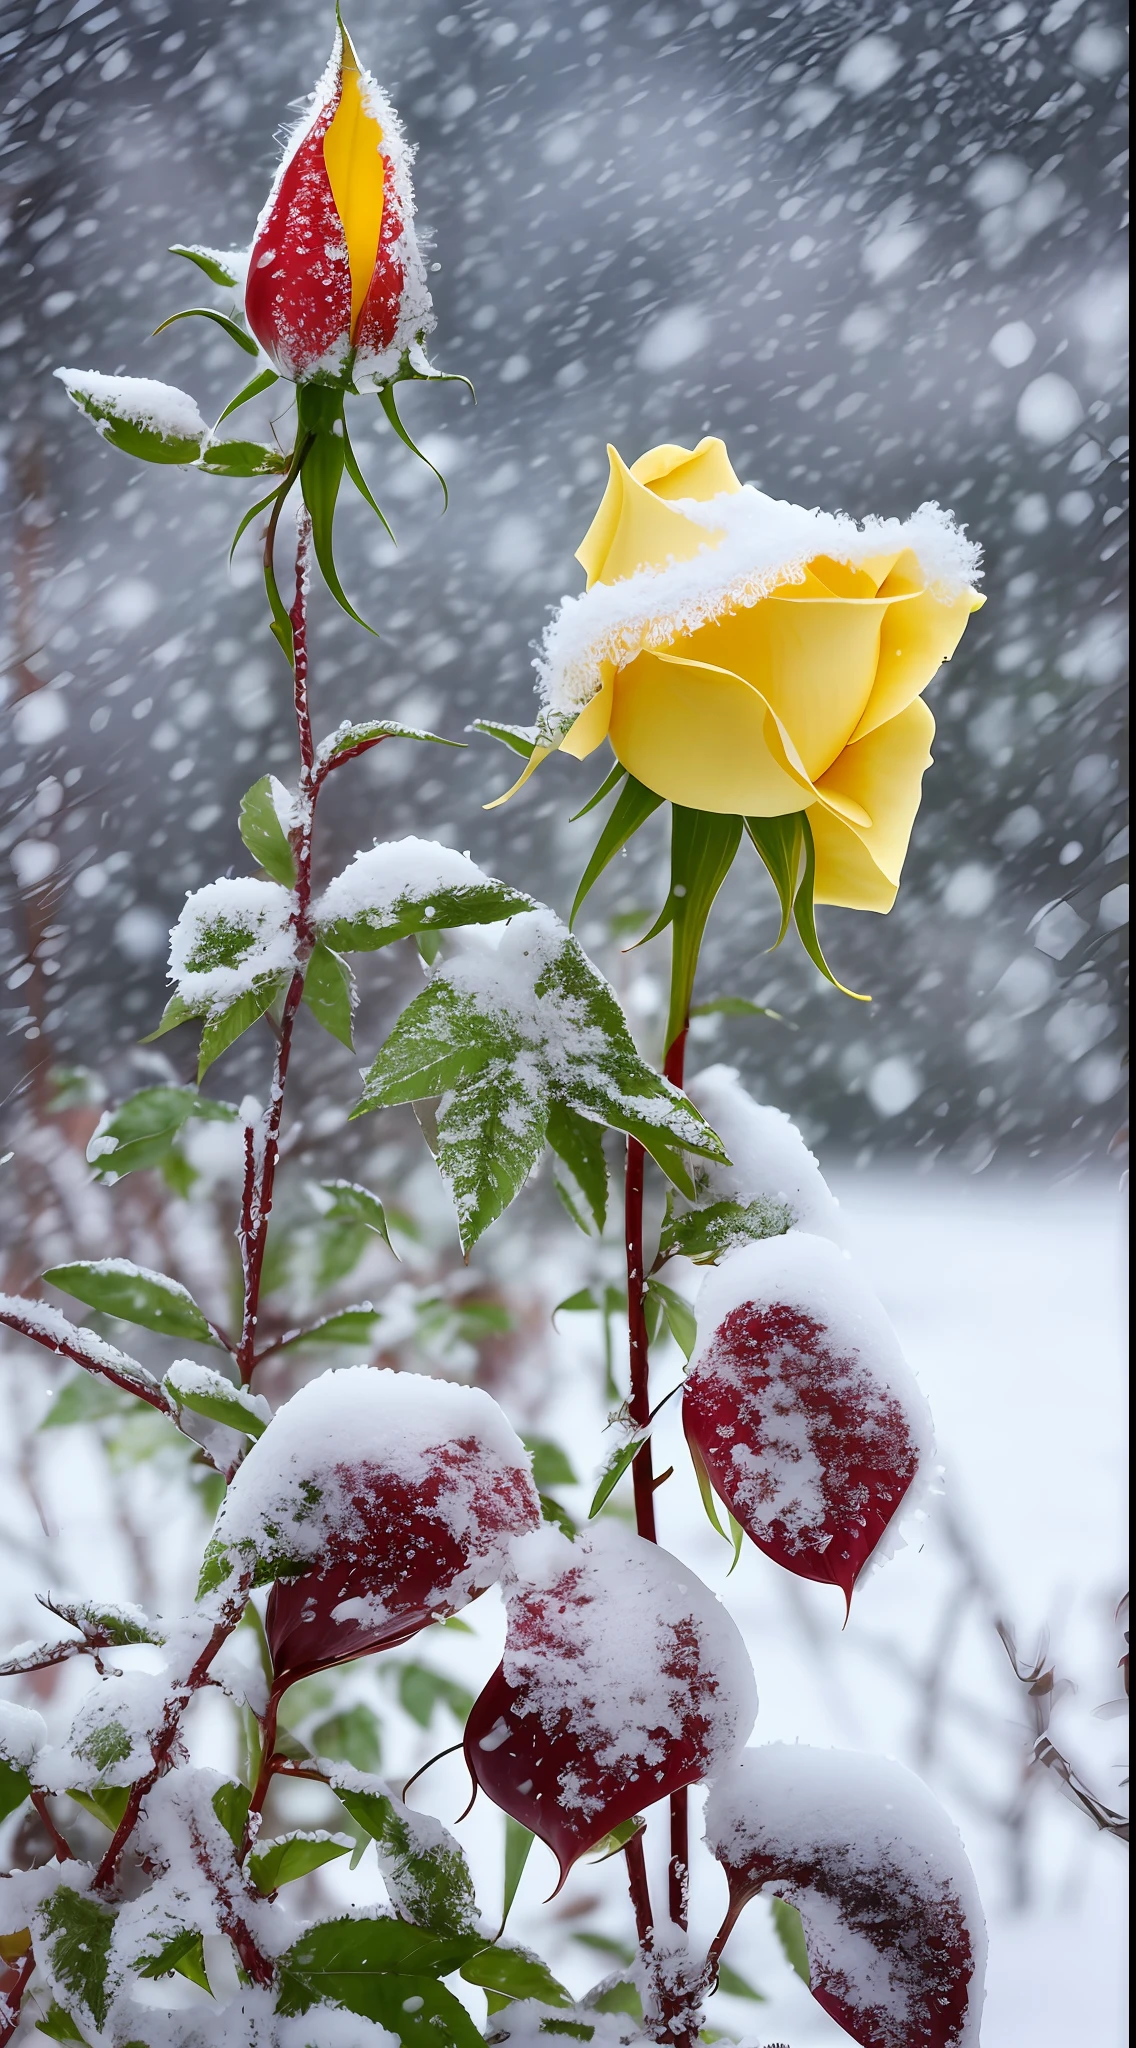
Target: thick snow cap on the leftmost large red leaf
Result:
[365, 1424]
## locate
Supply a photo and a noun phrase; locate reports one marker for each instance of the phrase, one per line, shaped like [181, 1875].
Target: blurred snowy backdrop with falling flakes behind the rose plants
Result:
[879, 251]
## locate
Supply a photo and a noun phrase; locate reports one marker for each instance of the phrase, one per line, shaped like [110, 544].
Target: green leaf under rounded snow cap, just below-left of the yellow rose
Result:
[410, 886]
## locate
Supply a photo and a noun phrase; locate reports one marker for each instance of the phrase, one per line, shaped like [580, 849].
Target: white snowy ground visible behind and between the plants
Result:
[1008, 1299]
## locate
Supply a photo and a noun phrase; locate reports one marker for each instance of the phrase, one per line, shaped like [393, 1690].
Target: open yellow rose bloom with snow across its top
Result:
[754, 658]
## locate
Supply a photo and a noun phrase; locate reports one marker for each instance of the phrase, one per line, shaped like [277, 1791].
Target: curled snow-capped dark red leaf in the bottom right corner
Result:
[889, 1908]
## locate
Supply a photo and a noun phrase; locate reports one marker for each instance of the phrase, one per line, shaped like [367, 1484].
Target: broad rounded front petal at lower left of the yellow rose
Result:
[705, 738]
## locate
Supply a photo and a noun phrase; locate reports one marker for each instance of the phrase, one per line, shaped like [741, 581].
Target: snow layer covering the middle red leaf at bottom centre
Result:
[631, 1644]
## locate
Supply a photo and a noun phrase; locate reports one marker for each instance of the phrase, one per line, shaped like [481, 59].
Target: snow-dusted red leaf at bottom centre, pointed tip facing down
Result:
[623, 1680]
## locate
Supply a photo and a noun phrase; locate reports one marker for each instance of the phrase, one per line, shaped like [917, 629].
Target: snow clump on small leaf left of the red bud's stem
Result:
[230, 937]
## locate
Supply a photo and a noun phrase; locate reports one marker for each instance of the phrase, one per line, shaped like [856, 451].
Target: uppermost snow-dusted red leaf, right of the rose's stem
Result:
[801, 1408]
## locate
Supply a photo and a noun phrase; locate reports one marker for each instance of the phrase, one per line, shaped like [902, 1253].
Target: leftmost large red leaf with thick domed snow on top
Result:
[388, 1502]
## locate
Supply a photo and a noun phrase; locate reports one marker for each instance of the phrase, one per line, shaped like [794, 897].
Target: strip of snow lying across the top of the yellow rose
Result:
[754, 544]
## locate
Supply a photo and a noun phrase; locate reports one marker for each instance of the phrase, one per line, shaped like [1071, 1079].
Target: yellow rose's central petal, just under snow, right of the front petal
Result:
[812, 658]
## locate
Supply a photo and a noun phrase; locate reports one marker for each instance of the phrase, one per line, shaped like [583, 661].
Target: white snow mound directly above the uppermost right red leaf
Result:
[771, 1160]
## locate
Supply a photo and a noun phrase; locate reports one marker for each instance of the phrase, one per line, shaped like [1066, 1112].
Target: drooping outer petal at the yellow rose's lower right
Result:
[861, 867]
